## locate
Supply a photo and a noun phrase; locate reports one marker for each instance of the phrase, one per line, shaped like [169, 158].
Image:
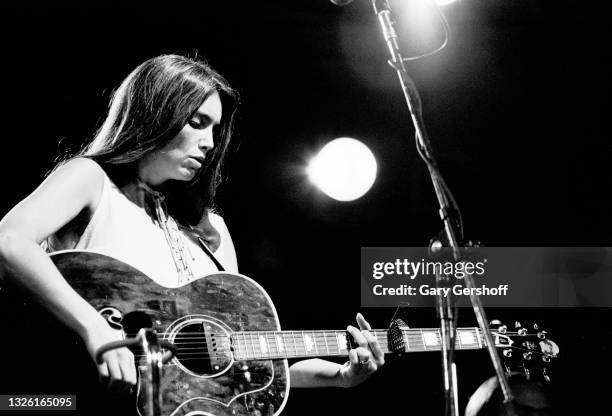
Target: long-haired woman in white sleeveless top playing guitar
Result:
[142, 191]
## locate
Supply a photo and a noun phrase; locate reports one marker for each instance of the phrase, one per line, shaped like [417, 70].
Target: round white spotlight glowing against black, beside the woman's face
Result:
[344, 169]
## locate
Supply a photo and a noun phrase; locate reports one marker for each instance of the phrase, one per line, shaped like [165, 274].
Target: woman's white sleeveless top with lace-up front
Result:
[123, 230]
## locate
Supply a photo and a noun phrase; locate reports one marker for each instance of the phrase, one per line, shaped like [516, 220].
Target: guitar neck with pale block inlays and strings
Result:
[253, 345]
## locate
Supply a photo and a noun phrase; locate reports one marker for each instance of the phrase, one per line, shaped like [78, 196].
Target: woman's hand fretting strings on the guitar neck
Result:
[363, 360]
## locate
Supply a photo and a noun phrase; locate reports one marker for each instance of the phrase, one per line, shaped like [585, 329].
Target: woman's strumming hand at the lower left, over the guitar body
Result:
[118, 371]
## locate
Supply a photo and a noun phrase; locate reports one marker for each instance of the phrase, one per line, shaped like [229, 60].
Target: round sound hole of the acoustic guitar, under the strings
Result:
[203, 348]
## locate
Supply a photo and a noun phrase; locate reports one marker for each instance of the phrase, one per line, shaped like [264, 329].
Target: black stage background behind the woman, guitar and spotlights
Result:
[516, 107]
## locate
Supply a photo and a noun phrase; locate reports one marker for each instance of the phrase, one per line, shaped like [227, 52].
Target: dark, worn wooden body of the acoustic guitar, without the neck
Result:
[203, 379]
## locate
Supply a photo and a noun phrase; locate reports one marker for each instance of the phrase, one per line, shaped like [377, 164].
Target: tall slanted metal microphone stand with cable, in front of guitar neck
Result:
[448, 216]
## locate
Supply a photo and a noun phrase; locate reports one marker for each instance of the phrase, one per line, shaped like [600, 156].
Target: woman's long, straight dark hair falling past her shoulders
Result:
[149, 109]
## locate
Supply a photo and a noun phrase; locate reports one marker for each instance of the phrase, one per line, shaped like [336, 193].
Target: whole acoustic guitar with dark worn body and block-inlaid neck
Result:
[231, 353]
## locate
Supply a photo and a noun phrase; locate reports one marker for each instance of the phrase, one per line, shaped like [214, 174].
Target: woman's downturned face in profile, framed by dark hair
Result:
[184, 155]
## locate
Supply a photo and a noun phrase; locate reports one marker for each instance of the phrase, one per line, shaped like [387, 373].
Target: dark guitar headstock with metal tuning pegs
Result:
[525, 349]
